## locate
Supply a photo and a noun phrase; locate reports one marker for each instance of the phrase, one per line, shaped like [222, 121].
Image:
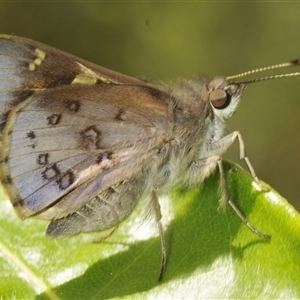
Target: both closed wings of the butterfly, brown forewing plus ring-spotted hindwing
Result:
[70, 129]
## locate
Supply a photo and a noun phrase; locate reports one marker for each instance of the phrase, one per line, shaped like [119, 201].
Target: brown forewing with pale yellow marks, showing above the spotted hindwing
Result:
[27, 66]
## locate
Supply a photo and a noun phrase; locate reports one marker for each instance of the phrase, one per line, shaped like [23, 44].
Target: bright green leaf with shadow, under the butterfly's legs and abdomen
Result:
[211, 253]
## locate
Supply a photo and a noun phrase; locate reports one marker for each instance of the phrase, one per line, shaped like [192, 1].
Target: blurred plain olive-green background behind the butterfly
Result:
[166, 40]
